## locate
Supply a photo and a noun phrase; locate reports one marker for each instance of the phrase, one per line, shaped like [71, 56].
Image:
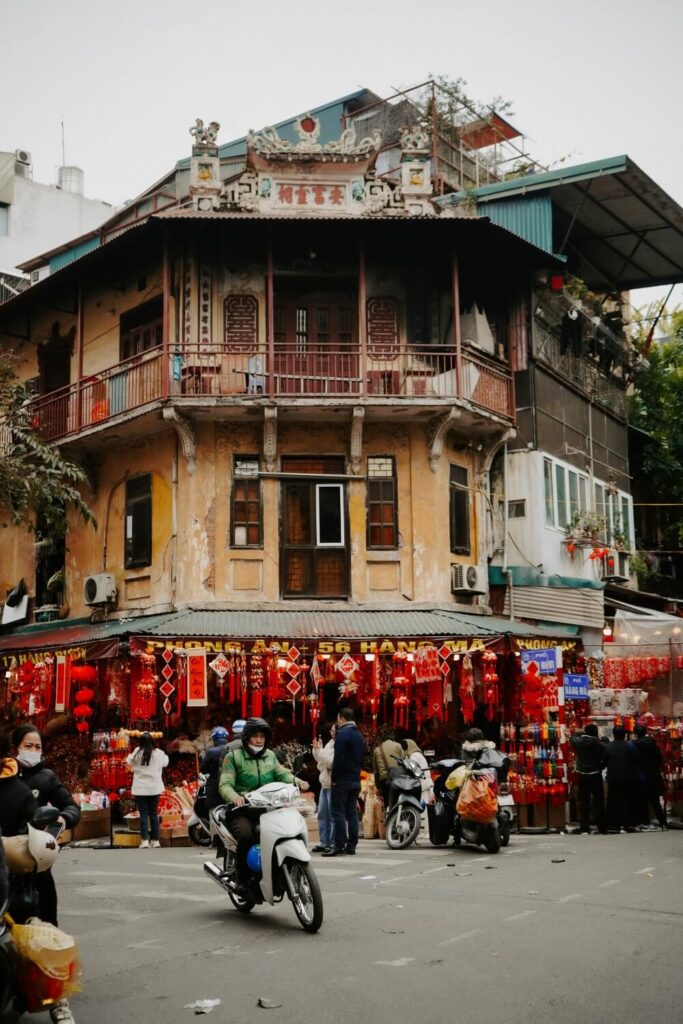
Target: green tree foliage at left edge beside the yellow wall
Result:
[37, 484]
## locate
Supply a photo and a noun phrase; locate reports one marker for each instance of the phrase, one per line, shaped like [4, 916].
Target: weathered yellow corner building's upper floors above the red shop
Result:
[331, 386]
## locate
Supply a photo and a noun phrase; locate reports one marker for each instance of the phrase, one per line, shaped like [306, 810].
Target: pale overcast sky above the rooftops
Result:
[587, 79]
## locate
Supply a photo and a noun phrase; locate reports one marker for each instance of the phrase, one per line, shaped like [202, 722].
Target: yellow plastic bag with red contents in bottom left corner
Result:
[51, 968]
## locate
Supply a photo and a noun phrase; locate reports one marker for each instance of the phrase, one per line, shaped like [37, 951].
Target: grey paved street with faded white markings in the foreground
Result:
[559, 929]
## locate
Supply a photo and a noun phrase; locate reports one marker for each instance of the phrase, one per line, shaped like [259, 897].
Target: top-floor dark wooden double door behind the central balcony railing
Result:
[317, 351]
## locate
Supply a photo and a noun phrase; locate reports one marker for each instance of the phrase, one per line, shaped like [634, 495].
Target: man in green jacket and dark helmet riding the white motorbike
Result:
[243, 772]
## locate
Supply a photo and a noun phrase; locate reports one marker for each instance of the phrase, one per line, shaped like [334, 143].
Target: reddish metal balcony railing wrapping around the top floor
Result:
[397, 375]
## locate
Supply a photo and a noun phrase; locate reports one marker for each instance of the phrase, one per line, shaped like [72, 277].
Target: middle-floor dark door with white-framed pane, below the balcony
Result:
[315, 544]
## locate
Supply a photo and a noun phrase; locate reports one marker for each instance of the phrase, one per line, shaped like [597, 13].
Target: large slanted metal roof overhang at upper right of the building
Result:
[618, 228]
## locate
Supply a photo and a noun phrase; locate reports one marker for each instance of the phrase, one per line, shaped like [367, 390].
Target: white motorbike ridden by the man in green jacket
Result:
[279, 863]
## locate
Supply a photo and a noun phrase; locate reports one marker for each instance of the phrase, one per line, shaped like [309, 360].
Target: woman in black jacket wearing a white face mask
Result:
[48, 789]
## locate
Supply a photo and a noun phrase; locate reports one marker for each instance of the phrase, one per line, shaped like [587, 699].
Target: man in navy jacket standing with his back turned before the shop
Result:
[347, 766]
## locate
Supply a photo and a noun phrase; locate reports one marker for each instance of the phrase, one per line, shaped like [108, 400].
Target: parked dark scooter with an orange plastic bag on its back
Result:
[445, 823]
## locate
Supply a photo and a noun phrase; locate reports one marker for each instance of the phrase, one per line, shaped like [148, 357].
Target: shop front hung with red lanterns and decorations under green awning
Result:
[428, 674]
